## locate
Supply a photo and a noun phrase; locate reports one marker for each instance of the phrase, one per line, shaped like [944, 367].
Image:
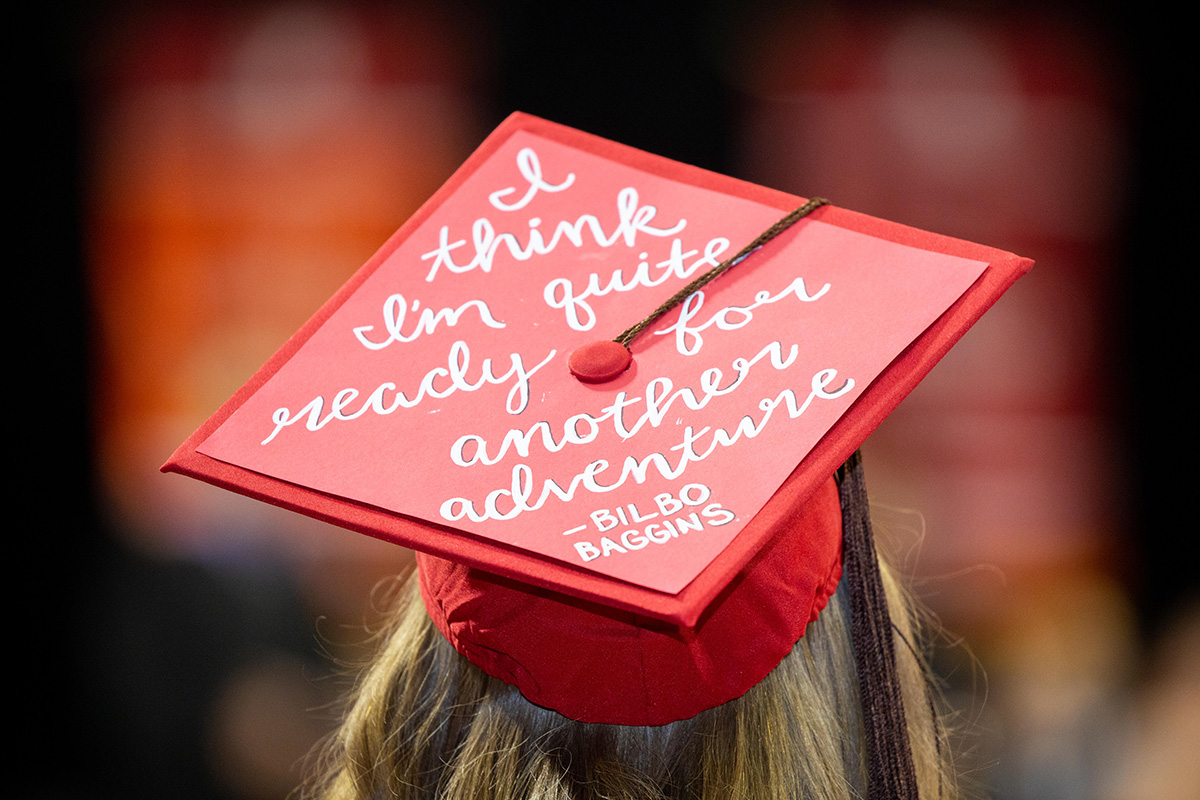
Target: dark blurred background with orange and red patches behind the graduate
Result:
[207, 175]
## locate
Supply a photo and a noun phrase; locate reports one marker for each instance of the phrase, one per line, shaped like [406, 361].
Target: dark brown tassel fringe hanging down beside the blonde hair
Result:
[890, 767]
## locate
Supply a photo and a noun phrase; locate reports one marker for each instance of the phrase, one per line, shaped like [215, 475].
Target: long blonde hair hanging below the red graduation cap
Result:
[425, 724]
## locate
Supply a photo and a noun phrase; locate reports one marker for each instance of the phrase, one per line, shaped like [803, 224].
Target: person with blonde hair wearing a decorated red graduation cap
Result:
[621, 548]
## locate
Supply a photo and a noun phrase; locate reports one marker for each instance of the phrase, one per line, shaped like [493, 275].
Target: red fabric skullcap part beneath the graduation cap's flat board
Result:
[597, 665]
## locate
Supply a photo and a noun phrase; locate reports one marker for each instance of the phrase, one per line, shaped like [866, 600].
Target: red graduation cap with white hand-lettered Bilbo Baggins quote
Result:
[629, 533]
